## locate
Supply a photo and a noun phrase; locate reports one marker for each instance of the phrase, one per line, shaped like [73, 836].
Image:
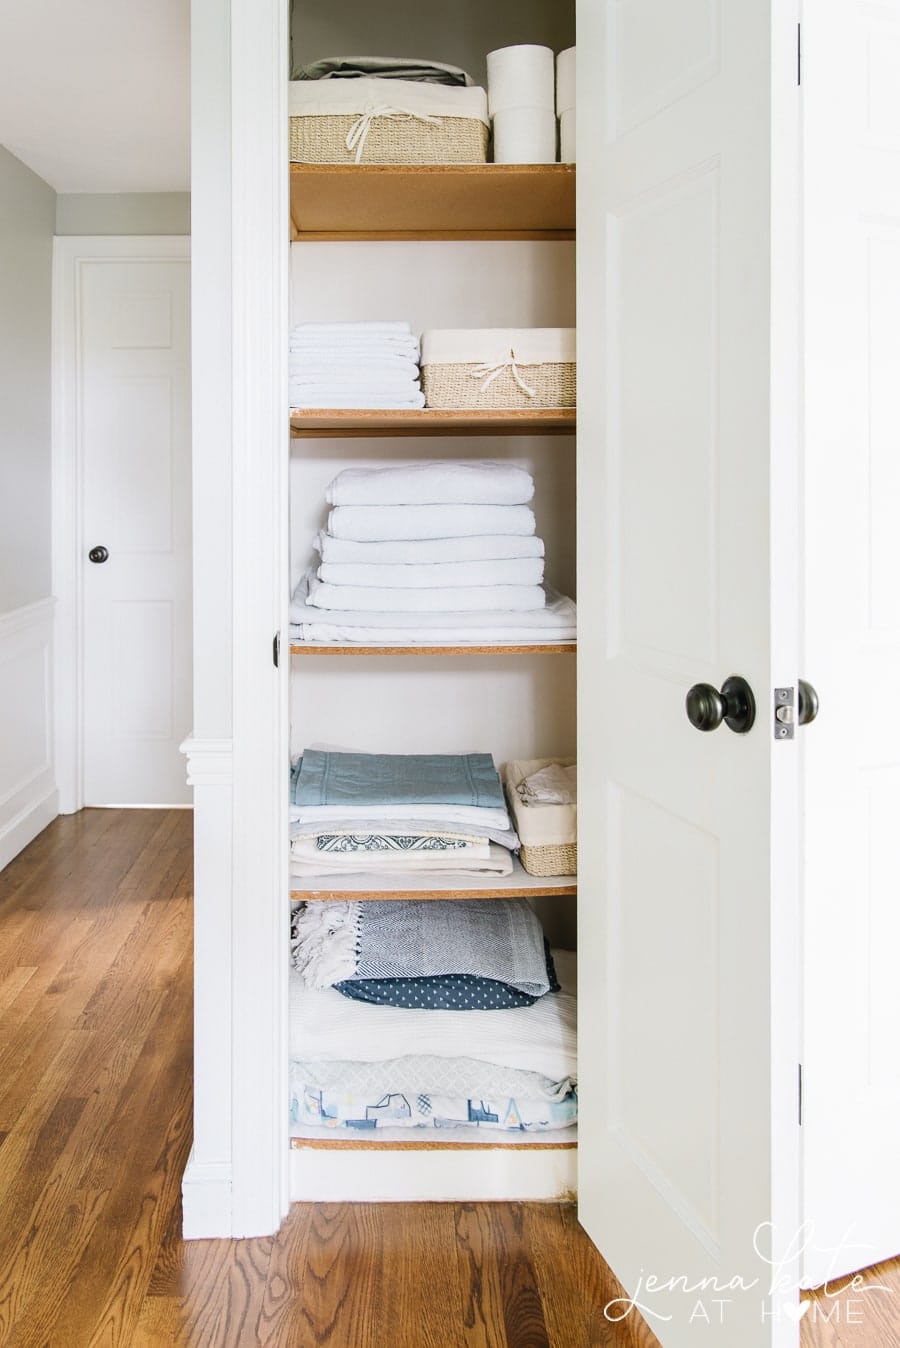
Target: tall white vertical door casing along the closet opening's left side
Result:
[259, 282]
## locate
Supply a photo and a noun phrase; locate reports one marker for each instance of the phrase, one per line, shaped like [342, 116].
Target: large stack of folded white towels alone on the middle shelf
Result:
[430, 553]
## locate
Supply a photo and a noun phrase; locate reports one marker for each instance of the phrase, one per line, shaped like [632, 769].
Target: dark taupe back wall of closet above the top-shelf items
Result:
[461, 34]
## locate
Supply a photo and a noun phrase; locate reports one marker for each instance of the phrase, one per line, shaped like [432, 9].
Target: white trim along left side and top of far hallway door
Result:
[69, 257]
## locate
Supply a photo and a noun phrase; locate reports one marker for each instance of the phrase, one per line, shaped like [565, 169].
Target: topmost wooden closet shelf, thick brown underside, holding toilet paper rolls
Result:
[333, 203]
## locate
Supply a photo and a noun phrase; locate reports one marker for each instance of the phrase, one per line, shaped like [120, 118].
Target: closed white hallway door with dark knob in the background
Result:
[134, 388]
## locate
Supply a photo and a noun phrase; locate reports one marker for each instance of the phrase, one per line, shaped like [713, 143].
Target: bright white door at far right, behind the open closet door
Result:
[852, 653]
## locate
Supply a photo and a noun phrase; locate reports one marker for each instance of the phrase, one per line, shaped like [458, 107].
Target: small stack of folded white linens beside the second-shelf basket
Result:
[366, 365]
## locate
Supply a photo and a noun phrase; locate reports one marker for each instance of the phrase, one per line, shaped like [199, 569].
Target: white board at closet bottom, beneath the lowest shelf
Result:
[494, 1175]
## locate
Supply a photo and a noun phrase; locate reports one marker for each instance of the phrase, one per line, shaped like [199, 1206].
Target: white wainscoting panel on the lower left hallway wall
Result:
[29, 797]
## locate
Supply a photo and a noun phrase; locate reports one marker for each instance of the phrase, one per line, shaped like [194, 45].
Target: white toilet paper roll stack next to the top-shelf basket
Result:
[522, 104]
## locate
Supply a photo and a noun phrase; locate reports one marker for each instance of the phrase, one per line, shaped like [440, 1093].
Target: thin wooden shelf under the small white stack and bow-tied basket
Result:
[343, 424]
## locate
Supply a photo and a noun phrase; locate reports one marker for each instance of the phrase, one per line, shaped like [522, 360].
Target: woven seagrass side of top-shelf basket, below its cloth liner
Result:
[390, 141]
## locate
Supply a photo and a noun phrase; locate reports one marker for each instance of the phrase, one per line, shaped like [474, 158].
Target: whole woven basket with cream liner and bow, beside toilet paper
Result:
[387, 122]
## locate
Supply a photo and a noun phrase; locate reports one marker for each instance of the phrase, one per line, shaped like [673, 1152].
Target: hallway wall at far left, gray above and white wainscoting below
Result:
[28, 220]
